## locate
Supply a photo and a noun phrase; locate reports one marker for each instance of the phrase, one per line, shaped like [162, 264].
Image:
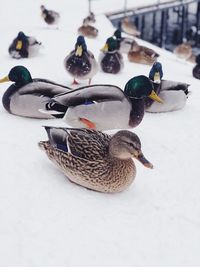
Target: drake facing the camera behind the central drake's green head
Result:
[174, 94]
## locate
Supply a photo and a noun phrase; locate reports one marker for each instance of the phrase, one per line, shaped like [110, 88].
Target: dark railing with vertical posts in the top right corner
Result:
[166, 24]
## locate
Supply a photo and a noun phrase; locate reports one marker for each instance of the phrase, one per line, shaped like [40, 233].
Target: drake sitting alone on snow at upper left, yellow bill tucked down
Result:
[24, 46]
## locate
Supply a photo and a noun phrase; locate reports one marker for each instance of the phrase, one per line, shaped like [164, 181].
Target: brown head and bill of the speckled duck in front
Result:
[125, 144]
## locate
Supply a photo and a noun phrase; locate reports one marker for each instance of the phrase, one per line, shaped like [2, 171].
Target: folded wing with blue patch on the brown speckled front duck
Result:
[81, 143]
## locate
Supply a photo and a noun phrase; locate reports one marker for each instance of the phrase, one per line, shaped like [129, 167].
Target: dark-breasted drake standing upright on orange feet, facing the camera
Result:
[81, 63]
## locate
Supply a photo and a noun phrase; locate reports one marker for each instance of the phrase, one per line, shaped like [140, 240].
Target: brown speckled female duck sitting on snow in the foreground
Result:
[94, 159]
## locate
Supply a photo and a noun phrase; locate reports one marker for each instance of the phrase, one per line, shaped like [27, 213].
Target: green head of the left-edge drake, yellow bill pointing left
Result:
[19, 74]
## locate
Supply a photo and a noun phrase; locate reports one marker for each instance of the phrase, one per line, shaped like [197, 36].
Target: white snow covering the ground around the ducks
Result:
[47, 221]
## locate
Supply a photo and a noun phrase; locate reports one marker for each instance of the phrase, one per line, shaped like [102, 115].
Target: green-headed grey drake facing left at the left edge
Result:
[26, 95]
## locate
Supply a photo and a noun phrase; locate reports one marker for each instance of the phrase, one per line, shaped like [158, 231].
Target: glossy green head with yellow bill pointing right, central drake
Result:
[140, 87]
